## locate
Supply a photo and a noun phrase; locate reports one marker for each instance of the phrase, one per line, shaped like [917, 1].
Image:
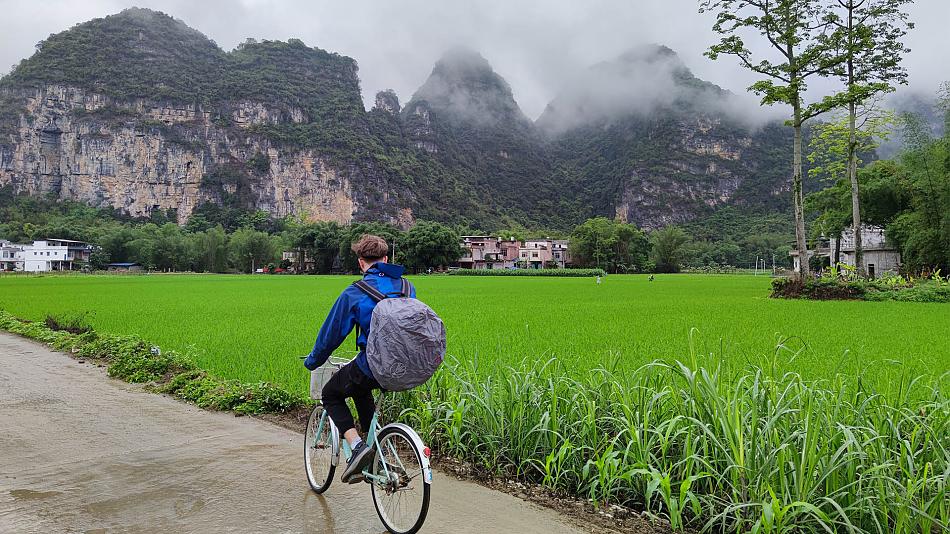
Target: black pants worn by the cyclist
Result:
[350, 382]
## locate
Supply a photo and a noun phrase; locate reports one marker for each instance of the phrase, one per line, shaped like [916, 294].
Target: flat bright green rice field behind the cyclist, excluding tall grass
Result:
[254, 328]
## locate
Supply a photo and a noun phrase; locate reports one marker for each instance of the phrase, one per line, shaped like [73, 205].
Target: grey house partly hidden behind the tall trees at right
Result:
[880, 256]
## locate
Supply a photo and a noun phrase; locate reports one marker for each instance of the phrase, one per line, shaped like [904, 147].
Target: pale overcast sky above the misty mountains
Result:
[537, 45]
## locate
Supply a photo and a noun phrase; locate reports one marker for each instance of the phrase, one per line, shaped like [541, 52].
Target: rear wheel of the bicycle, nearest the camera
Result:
[402, 501]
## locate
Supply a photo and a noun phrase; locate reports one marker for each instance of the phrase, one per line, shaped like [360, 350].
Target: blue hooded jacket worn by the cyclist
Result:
[352, 307]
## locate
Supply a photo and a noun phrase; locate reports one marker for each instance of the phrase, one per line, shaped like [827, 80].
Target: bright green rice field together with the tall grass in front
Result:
[831, 432]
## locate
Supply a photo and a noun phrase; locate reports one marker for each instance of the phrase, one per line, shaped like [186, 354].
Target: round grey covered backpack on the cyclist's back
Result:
[406, 342]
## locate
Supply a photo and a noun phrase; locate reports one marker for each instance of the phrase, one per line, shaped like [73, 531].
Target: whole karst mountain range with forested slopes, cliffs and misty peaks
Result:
[139, 112]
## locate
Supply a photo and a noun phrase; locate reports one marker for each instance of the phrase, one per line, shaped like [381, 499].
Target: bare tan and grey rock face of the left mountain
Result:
[140, 156]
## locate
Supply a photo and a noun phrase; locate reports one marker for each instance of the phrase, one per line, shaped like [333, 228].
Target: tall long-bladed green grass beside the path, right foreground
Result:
[758, 451]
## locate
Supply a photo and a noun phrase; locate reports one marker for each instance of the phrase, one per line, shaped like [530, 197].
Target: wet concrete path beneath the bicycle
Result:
[80, 452]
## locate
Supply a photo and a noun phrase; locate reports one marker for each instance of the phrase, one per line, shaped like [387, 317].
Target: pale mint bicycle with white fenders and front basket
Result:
[399, 475]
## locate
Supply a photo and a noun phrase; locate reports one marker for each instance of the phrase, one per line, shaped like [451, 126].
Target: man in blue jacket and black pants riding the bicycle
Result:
[354, 308]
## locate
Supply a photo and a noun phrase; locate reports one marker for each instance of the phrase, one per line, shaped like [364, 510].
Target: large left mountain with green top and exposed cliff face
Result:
[112, 142]
